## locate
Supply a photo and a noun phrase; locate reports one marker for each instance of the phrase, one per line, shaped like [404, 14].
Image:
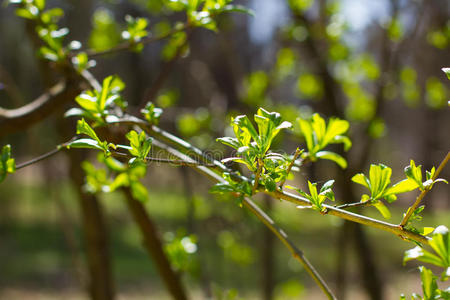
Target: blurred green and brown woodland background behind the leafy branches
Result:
[375, 63]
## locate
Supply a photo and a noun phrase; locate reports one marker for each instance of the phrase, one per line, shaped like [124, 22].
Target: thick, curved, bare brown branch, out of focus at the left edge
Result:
[13, 120]
